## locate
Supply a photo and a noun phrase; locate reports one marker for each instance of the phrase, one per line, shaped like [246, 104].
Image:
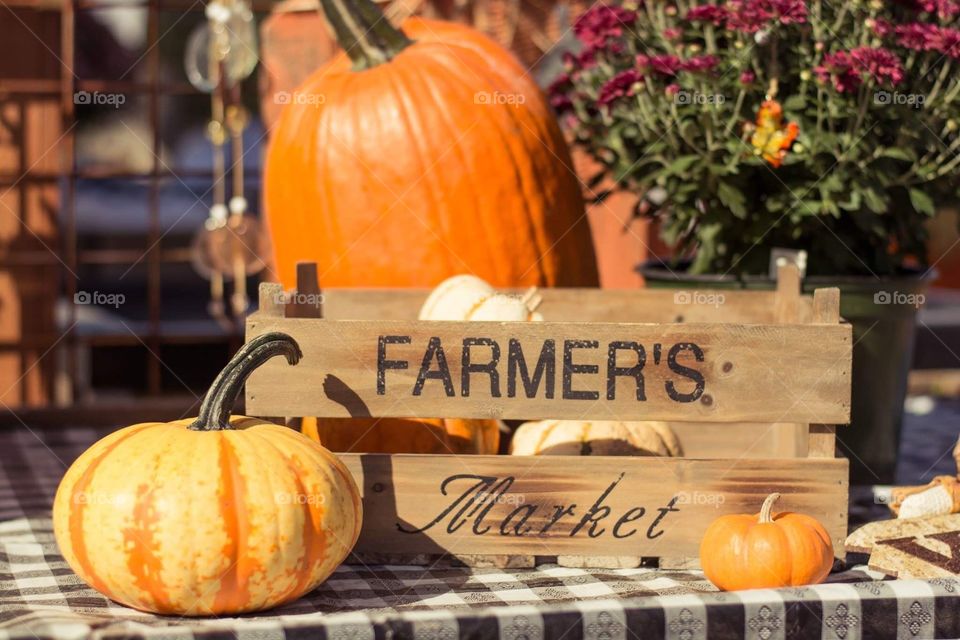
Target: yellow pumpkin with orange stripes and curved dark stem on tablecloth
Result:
[217, 515]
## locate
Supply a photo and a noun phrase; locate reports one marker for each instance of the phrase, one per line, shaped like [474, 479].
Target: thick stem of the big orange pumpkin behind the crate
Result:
[363, 32]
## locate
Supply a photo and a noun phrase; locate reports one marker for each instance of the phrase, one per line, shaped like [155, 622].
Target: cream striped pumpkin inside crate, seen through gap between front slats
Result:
[599, 438]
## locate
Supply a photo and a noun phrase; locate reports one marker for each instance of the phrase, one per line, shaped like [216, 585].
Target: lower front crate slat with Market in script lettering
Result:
[626, 506]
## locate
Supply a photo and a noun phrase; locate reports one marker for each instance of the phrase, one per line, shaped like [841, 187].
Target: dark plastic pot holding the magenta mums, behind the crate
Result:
[883, 312]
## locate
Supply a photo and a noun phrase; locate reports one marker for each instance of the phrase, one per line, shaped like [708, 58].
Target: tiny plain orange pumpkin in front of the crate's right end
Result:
[766, 551]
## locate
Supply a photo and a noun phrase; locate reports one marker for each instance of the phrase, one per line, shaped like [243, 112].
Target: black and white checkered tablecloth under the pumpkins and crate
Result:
[40, 597]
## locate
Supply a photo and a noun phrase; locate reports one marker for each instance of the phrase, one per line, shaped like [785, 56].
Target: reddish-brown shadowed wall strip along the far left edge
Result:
[30, 128]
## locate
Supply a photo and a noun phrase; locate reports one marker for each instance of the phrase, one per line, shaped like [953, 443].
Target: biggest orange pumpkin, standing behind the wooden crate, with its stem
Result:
[418, 155]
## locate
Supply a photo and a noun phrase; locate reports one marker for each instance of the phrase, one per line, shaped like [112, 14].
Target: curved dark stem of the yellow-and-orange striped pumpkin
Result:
[218, 403]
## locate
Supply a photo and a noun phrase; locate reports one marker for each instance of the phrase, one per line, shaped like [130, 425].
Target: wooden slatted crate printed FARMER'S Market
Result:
[752, 385]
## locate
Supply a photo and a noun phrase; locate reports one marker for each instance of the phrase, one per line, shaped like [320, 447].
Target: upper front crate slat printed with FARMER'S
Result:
[690, 372]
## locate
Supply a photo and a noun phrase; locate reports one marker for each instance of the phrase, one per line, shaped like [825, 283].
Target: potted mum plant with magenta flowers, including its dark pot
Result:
[753, 124]
